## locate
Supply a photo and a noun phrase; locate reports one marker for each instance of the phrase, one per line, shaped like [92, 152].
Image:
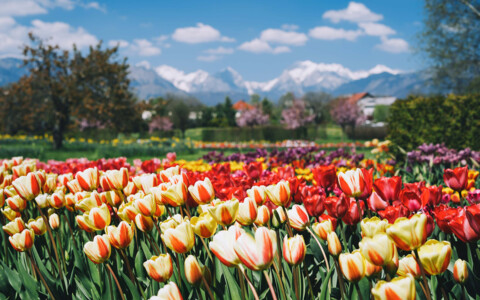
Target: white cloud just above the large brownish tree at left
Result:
[63, 34]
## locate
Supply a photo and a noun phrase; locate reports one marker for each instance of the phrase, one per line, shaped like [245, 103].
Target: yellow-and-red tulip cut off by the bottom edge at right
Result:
[397, 288]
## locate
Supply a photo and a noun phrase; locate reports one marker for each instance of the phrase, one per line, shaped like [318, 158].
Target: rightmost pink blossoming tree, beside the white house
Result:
[346, 113]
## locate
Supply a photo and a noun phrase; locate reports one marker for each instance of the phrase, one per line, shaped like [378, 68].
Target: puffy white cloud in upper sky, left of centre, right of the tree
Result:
[201, 33]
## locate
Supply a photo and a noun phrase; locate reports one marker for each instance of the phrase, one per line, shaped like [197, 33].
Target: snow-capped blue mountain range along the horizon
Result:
[302, 77]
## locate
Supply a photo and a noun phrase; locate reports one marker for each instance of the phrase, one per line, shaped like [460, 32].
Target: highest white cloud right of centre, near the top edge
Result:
[355, 12]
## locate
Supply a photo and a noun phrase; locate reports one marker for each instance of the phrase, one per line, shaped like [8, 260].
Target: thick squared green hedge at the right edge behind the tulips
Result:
[453, 120]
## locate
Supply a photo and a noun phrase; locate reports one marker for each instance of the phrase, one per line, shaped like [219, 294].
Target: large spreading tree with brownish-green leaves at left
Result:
[91, 89]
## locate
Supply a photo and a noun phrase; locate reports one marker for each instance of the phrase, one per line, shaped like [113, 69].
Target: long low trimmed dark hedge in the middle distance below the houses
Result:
[267, 133]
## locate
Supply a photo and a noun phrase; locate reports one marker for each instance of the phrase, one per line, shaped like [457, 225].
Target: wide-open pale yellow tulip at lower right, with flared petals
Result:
[409, 234]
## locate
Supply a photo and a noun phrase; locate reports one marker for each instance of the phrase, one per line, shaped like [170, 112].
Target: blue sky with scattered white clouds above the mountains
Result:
[259, 39]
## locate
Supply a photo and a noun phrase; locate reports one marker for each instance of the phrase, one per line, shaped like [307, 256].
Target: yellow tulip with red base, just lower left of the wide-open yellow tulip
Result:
[378, 250]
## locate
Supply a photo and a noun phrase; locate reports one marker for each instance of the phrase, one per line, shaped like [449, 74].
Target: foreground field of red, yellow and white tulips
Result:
[295, 223]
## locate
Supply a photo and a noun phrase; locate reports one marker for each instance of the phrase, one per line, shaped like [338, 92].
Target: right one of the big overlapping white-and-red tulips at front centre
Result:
[257, 253]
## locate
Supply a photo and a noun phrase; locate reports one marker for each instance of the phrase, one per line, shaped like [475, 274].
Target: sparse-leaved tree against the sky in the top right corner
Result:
[449, 38]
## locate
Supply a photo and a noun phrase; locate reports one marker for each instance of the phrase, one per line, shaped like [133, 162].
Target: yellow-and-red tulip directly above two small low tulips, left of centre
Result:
[179, 239]
